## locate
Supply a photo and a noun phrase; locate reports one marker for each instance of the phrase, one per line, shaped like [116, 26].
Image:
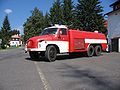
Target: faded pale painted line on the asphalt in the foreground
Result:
[42, 77]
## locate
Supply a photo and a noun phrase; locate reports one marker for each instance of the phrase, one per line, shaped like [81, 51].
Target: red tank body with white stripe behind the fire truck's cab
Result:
[80, 40]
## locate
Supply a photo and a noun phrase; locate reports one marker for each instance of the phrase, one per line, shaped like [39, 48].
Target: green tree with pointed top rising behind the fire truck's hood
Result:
[34, 24]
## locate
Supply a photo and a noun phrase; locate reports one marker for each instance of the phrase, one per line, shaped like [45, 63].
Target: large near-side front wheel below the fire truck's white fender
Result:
[51, 53]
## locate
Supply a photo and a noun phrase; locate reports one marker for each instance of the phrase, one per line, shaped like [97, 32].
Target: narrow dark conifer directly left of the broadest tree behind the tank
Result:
[68, 13]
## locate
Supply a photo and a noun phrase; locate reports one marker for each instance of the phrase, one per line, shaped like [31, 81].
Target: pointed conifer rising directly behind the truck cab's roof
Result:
[56, 13]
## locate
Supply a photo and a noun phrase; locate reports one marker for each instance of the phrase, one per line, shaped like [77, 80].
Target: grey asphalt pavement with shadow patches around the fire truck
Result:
[19, 72]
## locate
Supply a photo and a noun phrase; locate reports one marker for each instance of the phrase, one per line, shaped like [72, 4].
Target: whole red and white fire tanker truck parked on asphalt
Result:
[59, 39]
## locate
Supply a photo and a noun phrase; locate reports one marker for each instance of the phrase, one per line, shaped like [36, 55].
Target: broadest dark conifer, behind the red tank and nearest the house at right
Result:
[89, 15]
